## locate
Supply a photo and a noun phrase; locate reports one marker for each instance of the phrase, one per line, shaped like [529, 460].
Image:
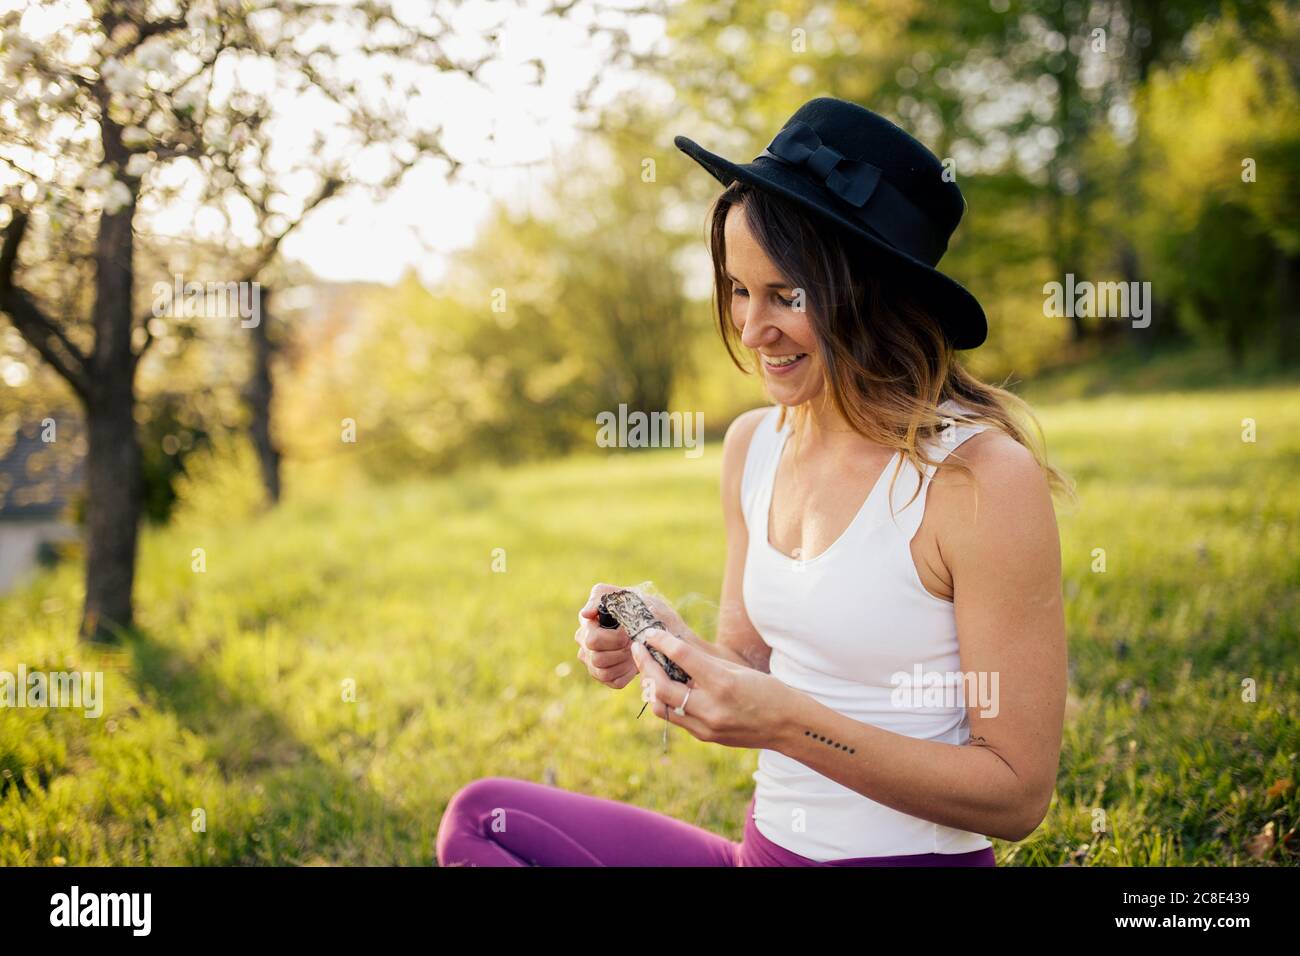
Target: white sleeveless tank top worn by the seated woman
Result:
[842, 625]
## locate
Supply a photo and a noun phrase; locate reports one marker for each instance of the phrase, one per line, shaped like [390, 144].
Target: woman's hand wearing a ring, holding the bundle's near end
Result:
[730, 704]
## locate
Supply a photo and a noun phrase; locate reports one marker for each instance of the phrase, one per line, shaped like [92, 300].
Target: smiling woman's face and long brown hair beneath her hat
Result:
[869, 345]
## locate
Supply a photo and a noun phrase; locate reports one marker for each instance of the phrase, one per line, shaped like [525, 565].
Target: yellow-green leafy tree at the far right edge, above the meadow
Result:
[1220, 181]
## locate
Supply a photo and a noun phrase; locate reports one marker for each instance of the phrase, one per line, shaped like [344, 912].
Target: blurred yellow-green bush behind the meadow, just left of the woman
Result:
[544, 323]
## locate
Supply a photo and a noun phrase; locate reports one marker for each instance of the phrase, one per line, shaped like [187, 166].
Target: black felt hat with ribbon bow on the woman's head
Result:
[855, 168]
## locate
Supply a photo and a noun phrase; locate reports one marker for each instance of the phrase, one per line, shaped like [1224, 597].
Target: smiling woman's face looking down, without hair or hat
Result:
[769, 317]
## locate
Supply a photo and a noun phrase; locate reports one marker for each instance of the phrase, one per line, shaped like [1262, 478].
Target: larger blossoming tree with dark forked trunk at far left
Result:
[115, 111]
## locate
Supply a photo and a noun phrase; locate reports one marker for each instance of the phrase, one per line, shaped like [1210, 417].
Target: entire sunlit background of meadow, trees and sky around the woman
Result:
[474, 235]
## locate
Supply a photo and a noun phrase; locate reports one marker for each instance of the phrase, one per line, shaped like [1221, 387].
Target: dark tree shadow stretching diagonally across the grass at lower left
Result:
[307, 810]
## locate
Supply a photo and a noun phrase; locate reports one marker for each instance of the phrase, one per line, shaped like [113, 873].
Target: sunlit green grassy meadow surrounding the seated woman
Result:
[231, 700]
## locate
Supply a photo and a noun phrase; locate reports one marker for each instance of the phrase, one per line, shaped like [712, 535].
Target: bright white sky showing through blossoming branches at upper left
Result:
[356, 239]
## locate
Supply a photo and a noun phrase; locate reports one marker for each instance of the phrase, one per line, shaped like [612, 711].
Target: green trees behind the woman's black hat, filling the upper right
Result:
[1034, 107]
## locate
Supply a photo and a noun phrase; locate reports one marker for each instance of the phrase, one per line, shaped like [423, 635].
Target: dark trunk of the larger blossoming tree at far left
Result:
[114, 469]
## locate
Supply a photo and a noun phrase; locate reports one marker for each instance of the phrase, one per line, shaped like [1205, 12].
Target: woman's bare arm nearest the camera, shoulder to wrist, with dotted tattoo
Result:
[1006, 565]
